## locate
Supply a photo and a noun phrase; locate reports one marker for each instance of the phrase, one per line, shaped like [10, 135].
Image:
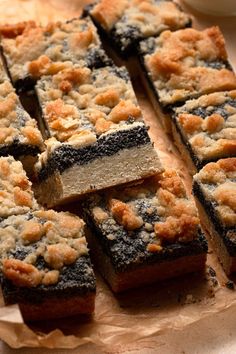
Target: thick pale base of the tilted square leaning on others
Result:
[125, 166]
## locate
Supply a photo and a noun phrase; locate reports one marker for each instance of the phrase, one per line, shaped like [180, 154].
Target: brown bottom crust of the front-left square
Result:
[58, 307]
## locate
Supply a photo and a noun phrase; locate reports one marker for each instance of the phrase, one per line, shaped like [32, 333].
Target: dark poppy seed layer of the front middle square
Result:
[128, 250]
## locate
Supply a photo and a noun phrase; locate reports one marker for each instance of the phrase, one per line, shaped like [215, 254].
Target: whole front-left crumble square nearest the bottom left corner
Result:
[45, 265]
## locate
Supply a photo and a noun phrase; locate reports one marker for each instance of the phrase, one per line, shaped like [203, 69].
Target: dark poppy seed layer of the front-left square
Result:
[74, 280]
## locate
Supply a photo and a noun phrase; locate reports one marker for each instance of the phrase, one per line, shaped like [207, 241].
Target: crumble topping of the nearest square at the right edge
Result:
[217, 181]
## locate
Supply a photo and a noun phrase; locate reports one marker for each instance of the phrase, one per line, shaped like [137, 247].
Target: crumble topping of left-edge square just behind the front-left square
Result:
[16, 196]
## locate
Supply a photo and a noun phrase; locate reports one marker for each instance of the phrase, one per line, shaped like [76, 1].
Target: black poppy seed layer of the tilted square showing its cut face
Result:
[66, 156]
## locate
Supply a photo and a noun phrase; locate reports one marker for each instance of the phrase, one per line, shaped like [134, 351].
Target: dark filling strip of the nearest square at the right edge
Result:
[226, 233]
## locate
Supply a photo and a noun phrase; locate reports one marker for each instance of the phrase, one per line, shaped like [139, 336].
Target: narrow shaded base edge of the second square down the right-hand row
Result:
[165, 119]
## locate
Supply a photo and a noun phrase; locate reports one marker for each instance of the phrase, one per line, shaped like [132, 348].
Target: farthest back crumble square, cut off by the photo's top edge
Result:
[124, 23]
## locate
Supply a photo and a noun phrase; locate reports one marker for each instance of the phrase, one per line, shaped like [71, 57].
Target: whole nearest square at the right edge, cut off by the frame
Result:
[214, 188]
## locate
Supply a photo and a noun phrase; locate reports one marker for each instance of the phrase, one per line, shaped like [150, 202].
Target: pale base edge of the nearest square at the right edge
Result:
[228, 262]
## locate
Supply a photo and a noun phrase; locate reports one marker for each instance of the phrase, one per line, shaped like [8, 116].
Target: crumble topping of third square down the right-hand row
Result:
[209, 124]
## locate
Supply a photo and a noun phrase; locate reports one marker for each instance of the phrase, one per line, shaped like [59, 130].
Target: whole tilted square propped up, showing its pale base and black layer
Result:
[97, 134]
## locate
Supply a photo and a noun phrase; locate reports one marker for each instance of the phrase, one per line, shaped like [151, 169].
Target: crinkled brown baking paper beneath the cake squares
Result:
[139, 313]
